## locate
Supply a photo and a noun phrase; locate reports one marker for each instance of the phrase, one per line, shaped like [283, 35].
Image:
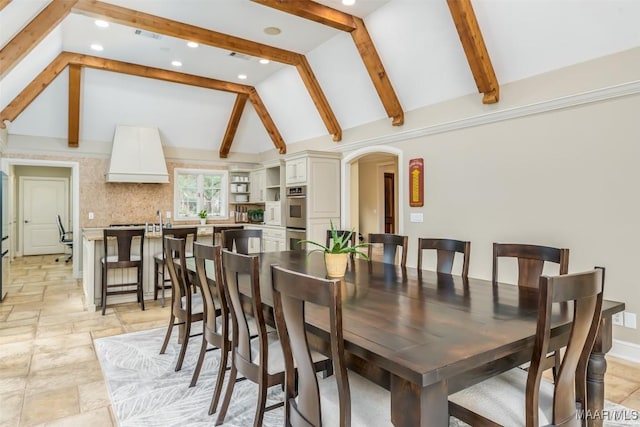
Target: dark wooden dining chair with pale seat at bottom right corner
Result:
[517, 397]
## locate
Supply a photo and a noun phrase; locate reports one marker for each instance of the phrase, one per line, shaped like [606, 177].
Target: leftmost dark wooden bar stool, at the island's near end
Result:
[123, 258]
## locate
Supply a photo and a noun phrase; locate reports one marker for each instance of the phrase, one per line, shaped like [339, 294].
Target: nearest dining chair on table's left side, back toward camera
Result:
[314, 402]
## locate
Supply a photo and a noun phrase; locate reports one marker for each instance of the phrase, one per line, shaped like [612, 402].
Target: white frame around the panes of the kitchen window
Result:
[200, 173]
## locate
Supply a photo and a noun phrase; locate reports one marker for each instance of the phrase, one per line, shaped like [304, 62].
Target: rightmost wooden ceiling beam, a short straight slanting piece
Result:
[475, 49]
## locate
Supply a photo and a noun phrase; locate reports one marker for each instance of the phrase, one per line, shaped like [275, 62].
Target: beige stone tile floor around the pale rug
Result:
[49, 372]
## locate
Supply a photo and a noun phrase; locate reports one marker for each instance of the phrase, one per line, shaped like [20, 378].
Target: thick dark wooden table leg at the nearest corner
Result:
[412, 405]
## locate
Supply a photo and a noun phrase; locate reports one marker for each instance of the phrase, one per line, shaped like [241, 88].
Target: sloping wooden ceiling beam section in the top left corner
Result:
[36, 30]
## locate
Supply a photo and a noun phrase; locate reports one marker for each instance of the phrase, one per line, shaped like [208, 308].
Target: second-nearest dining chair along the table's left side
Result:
[260, 359]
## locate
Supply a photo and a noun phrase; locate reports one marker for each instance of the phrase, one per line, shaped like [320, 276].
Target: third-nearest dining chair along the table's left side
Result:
[215, 328]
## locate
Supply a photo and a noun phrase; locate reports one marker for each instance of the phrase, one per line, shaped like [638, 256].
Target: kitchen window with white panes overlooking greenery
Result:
[198, 189]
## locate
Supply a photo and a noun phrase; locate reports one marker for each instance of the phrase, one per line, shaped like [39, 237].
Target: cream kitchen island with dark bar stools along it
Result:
[93, 251]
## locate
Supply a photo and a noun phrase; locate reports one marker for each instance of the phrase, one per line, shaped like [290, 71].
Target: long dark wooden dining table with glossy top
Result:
[425, 335]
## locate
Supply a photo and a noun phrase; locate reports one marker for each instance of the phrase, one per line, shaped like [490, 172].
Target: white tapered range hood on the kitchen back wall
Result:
[137, 156]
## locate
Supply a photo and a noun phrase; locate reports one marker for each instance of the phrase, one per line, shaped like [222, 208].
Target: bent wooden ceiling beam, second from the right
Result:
[345, 22]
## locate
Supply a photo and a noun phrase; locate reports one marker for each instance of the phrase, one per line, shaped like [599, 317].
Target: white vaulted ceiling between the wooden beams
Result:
[416, 40]
